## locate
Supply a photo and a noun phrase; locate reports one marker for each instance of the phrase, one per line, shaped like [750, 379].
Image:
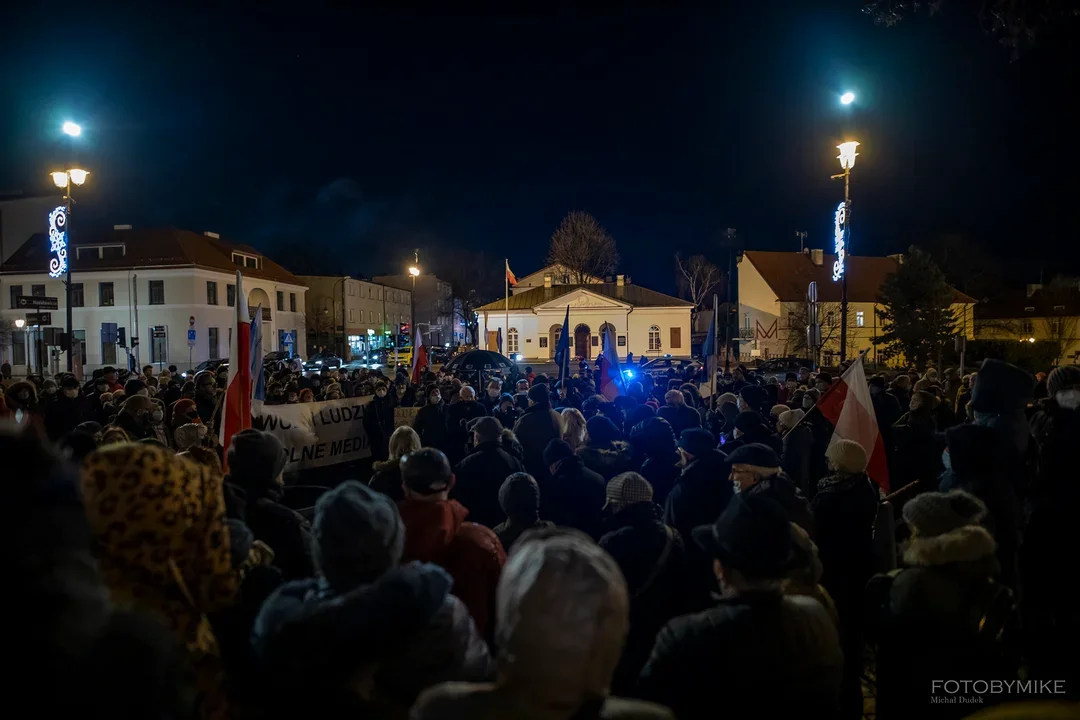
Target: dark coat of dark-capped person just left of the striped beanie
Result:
[574, 497]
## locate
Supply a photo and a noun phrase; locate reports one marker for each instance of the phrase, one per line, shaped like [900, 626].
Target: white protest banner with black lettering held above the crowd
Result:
[319, 434]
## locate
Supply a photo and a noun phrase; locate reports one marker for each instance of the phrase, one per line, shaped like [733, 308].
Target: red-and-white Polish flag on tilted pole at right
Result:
[848, 406]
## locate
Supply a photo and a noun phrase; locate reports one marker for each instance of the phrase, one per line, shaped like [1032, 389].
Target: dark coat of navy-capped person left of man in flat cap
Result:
[701, 494]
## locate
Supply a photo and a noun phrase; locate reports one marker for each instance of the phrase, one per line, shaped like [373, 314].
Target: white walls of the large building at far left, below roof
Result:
[186, 297]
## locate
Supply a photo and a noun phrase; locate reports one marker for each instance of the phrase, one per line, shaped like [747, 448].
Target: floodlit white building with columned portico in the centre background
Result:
[645, 322]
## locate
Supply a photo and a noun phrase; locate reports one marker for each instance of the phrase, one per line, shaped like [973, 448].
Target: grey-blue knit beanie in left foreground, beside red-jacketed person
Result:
[358, 536]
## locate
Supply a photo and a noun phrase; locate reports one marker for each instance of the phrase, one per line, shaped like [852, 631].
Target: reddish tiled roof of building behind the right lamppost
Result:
[789, 275]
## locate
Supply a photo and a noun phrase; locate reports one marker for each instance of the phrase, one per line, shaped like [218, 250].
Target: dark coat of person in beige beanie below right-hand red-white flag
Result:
[845, 511]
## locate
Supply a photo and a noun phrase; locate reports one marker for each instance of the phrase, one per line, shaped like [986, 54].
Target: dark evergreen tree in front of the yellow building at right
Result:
[917, 314]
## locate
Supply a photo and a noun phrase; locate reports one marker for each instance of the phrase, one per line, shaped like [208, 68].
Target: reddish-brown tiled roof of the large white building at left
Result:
[167, 248]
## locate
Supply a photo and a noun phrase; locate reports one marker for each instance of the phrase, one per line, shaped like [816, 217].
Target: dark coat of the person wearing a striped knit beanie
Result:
[653, 559]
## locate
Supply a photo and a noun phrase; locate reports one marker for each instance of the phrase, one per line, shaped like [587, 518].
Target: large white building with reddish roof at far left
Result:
[154, 284]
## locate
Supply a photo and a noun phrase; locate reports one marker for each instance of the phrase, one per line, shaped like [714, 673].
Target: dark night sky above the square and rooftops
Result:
[358, 135]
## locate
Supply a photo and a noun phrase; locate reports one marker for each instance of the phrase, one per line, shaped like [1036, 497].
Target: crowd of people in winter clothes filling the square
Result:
[530, 549]
